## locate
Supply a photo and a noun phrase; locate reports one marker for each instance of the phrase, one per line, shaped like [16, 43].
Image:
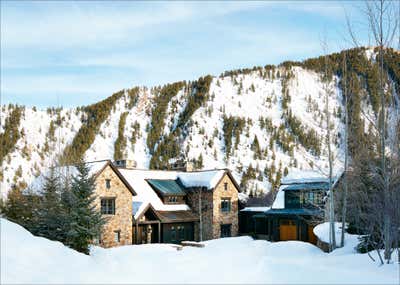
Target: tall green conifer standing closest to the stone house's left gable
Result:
[86, 221]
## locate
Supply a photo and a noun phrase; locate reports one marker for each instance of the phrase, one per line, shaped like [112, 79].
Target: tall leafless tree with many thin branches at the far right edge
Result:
[382, 21]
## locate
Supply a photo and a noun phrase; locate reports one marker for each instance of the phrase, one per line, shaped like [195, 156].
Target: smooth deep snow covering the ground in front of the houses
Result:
[240, 260]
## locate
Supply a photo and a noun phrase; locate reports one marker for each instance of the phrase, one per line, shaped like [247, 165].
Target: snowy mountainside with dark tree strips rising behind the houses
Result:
[259, 122]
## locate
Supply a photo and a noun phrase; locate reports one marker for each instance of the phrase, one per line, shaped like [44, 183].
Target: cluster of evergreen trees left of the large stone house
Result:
[62, 210]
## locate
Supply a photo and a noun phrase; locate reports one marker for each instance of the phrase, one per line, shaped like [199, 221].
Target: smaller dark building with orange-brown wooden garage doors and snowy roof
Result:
[299, 205]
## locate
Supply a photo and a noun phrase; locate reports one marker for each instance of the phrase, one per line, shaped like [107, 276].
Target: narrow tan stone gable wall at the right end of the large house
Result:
[219, 217]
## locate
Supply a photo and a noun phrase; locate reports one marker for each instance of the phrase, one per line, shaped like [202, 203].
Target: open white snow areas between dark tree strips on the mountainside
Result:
[249, 96]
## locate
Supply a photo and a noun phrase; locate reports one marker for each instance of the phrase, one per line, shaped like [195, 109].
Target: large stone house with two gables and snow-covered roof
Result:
[158, 206]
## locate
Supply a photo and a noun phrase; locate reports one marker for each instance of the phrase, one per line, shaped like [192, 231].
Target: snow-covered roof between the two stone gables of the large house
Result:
[146, 194]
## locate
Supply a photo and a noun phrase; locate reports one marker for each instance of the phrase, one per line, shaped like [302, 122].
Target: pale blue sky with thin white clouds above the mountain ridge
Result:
[82, 52]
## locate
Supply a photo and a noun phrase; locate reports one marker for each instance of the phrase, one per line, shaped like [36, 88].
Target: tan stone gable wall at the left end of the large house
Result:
[122, 220]
